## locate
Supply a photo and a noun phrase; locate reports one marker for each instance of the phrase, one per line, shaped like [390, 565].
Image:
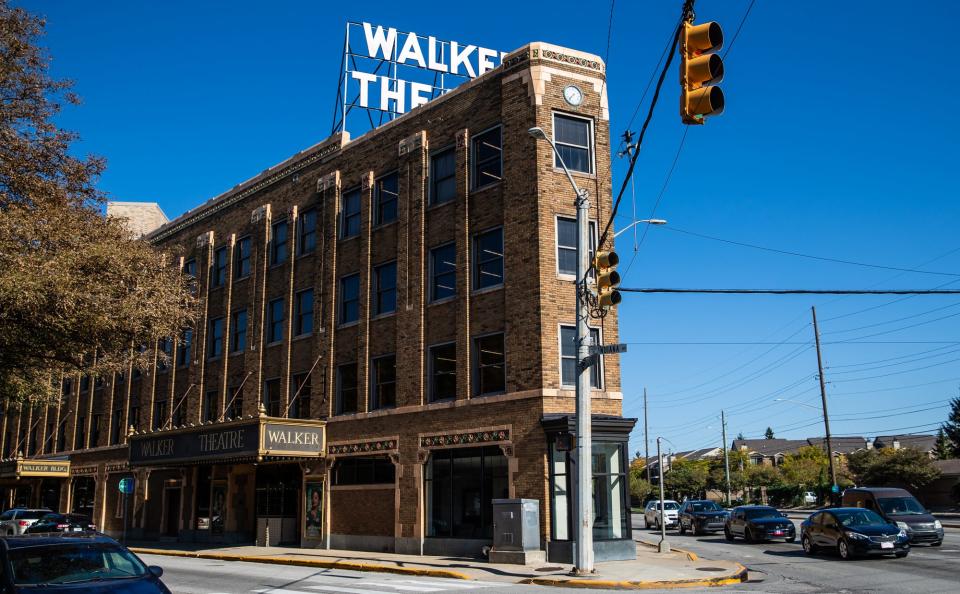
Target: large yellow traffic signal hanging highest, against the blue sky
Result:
[700, 67]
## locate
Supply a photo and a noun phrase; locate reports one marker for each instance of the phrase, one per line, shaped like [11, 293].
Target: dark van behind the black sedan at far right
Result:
[898, 507]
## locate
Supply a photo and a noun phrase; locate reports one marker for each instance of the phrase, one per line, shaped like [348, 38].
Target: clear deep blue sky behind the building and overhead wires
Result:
[839, 140]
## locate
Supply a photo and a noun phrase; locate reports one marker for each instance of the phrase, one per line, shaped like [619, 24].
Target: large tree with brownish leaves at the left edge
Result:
[77, 290]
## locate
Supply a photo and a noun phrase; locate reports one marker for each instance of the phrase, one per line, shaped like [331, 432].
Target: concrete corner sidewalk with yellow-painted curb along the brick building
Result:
[650, 570]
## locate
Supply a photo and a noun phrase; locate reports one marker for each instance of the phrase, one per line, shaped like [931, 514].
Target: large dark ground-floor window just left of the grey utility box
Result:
[460, 486]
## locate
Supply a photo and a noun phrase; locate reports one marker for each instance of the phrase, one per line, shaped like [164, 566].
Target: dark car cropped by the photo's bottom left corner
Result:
[74, 563]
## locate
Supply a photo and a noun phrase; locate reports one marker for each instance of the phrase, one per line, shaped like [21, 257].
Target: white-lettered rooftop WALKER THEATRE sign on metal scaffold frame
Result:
[390, 72]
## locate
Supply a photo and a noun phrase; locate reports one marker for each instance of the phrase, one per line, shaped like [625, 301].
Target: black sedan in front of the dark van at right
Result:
[853, 531]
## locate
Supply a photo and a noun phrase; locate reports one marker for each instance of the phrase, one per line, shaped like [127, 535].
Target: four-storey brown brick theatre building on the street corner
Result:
[385, 343]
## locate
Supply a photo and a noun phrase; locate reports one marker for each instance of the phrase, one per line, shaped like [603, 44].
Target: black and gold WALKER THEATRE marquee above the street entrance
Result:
[244, 440]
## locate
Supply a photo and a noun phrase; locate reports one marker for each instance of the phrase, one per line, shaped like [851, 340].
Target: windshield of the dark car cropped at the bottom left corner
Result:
[71, 563]
